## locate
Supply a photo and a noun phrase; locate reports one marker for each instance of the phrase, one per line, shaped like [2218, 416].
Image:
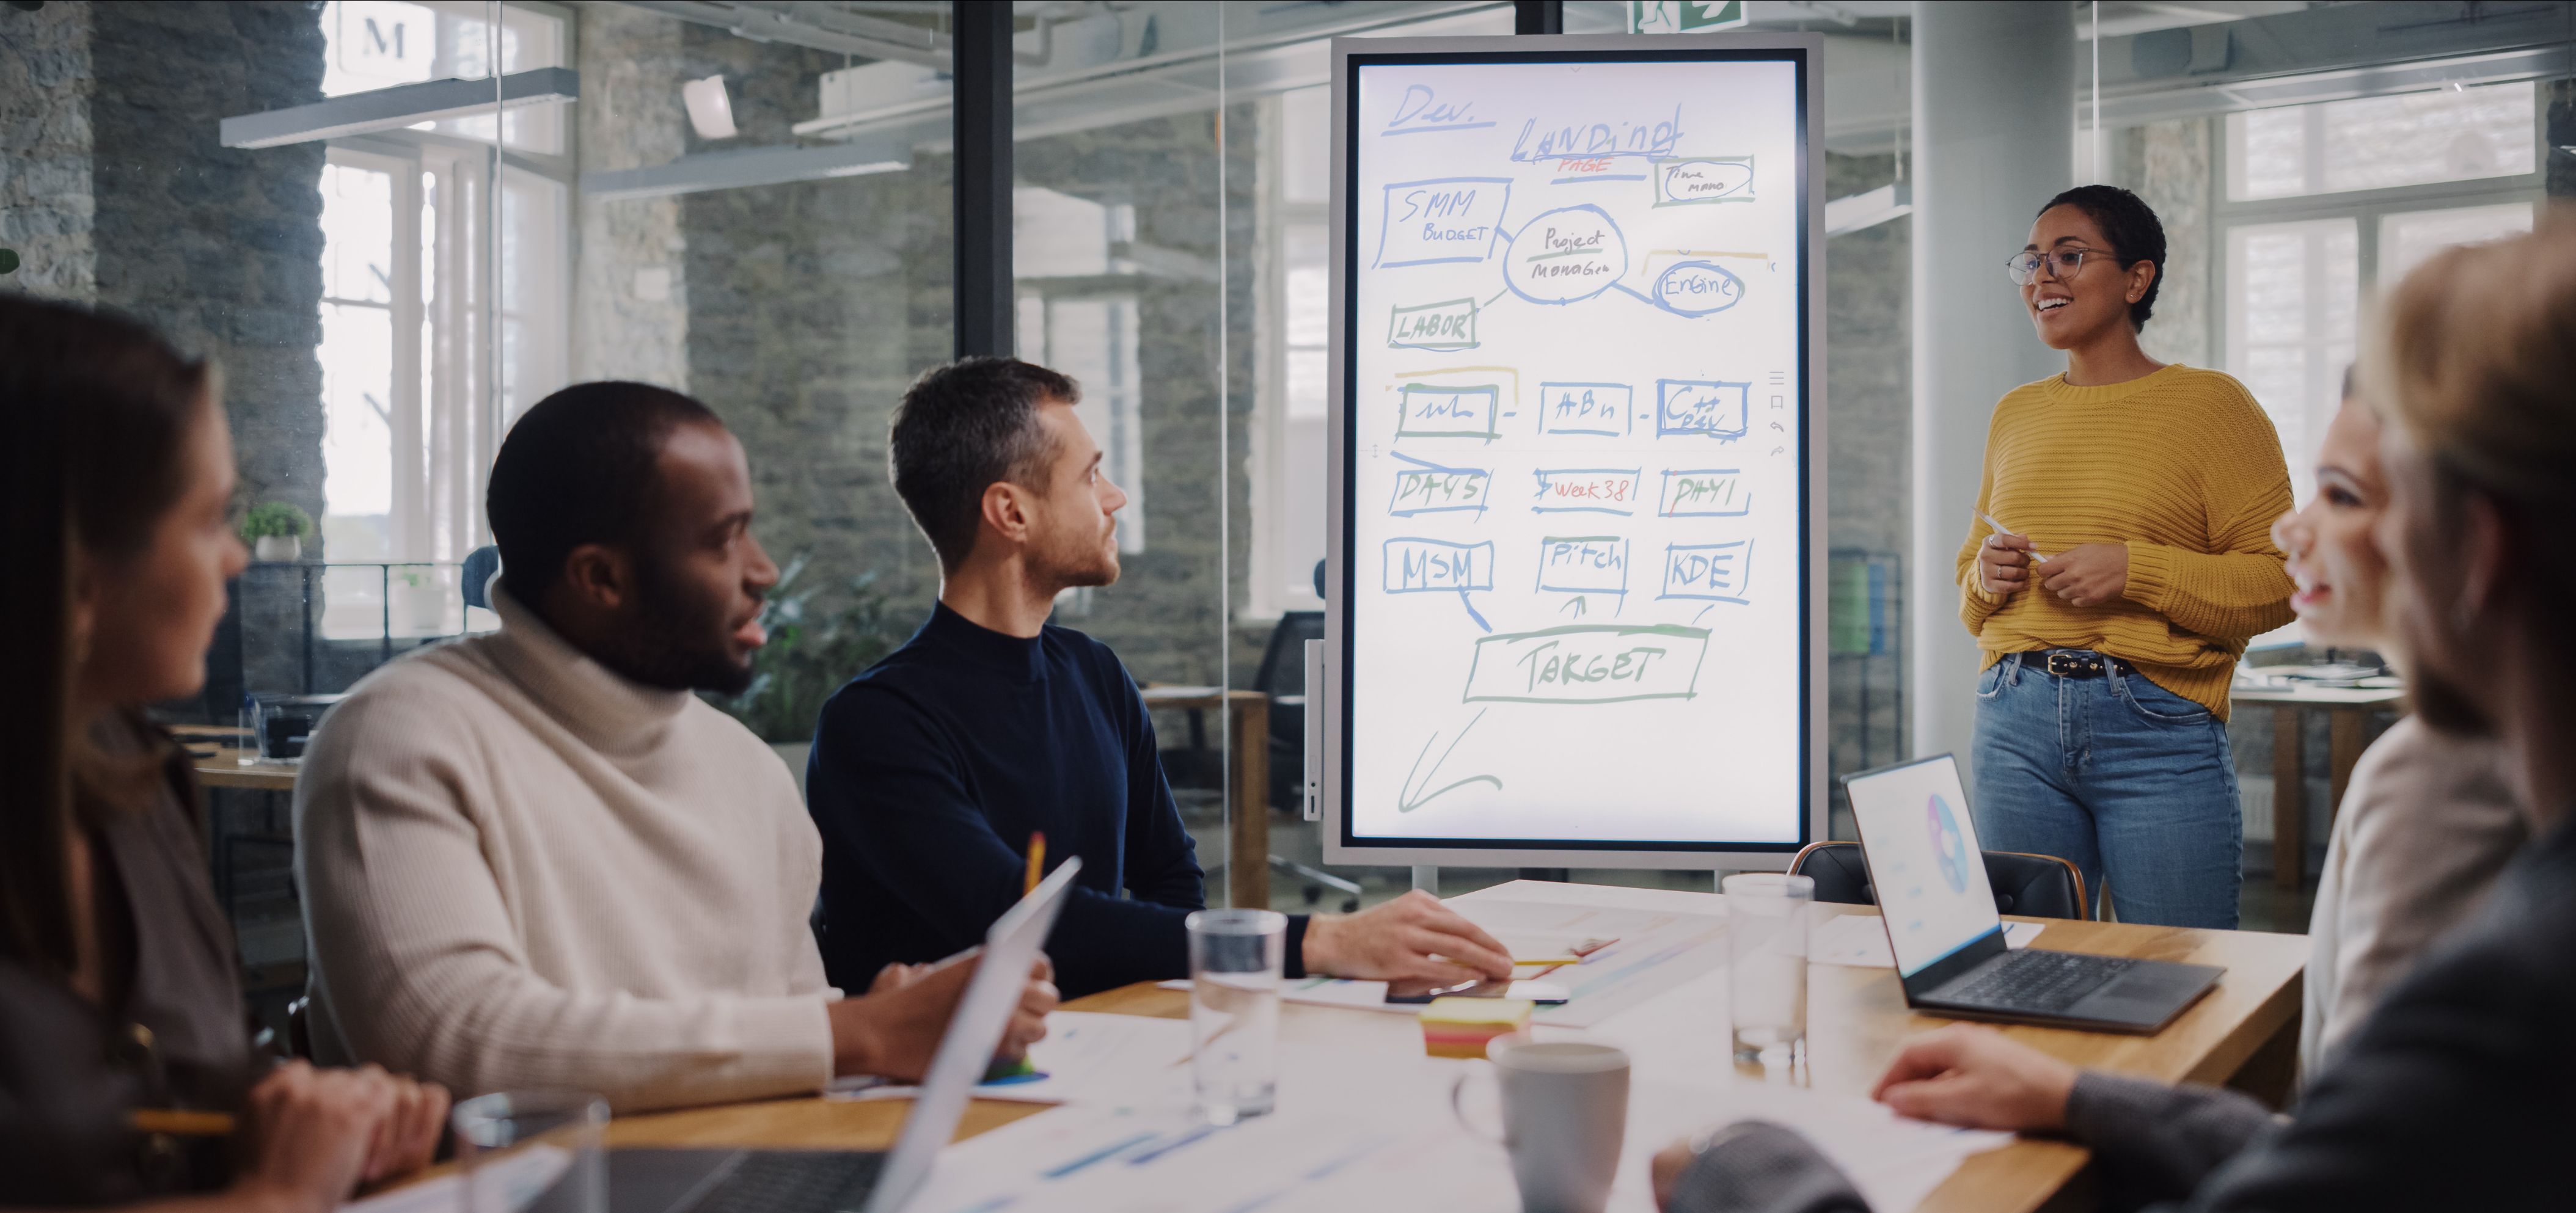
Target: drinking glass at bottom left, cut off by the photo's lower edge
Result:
[532, 1152]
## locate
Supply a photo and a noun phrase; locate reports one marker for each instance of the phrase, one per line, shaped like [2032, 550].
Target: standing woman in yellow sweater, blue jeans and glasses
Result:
[2139, 563]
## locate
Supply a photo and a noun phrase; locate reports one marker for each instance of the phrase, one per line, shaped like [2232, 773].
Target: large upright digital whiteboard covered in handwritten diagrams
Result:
[1575, 576]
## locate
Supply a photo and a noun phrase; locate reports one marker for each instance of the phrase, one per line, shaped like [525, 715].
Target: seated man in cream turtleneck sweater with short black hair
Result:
[537, 859]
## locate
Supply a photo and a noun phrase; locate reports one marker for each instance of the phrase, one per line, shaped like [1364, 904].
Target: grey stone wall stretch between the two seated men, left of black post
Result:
[810, 310]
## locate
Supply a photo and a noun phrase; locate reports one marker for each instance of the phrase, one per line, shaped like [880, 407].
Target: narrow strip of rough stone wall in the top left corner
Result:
[45, 151]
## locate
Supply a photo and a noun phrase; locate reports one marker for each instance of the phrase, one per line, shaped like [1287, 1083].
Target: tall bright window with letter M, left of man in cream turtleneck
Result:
[411, 313]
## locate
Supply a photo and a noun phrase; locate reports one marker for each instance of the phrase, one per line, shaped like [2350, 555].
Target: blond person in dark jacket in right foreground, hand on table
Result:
[2456, 1088]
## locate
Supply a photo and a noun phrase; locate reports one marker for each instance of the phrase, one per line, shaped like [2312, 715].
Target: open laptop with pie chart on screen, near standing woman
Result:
[1949, 941]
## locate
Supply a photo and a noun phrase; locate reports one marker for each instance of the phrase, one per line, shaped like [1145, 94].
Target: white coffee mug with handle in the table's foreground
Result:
[1565, 1114]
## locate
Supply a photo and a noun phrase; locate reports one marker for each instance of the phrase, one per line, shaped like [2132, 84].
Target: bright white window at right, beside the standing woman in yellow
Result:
[2333, 202]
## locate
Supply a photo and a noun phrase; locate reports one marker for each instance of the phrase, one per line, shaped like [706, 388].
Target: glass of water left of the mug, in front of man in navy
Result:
[1235, 1011]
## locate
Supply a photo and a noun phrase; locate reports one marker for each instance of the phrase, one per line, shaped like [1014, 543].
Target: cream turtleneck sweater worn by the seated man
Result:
[527, 872]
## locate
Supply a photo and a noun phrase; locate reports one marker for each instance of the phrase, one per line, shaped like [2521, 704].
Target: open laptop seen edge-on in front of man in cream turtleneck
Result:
[802, 1181]
